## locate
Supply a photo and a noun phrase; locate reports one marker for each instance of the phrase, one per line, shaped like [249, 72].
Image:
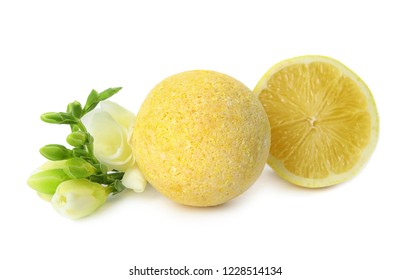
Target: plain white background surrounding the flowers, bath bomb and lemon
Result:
[54, 52]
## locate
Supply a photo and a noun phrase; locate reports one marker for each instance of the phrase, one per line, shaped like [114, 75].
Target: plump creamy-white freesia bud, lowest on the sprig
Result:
[78, 198]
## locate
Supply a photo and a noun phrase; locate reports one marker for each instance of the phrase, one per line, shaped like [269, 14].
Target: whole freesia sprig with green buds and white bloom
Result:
[74, 179]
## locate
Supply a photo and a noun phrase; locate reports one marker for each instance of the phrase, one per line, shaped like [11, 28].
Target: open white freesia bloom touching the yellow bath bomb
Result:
[110, 125]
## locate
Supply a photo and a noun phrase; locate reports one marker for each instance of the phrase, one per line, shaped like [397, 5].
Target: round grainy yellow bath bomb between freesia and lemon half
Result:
[201, 138]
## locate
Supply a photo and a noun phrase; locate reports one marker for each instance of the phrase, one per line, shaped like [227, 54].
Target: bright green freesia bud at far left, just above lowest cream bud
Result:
[47, 181]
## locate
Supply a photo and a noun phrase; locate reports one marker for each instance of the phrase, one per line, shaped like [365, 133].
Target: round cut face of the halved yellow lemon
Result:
[324, 122]
